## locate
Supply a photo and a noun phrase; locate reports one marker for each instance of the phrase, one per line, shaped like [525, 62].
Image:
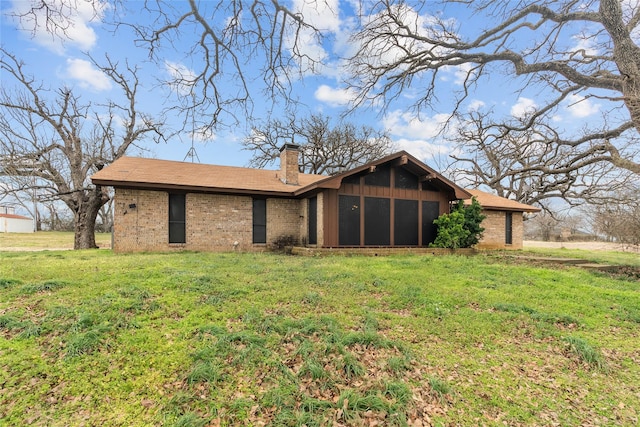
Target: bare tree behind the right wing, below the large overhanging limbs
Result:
[521, 164]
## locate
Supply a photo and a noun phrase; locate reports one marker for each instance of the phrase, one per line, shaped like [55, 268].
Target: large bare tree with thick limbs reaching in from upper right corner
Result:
[573, 51]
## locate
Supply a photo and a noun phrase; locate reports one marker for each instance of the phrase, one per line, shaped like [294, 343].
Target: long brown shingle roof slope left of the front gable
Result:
[153, 173]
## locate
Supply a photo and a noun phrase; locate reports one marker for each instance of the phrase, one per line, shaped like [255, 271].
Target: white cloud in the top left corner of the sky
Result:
[72, 25]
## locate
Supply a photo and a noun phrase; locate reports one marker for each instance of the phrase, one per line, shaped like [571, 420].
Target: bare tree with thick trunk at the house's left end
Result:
[52, 142]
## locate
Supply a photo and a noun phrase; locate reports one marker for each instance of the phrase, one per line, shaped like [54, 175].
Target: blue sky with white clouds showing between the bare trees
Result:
[59, 63]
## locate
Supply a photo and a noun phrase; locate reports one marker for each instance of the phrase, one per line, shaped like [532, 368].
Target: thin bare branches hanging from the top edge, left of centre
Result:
[236, 42]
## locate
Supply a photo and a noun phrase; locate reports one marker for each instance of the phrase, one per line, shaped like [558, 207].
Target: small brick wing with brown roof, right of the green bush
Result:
[503, 223]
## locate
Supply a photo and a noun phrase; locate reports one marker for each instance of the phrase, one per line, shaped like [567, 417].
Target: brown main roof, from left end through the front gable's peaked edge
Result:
[136, 172]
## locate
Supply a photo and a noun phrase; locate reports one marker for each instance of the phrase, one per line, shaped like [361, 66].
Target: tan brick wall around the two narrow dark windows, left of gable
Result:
[213, 222]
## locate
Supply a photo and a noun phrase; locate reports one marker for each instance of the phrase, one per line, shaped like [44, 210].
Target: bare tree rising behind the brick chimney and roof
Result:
[325, 149]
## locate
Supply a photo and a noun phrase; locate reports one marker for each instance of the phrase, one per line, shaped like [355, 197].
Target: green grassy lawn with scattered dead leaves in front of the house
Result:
[197, 339]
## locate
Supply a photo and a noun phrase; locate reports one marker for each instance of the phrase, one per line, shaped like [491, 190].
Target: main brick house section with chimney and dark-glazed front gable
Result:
[164, 205]
